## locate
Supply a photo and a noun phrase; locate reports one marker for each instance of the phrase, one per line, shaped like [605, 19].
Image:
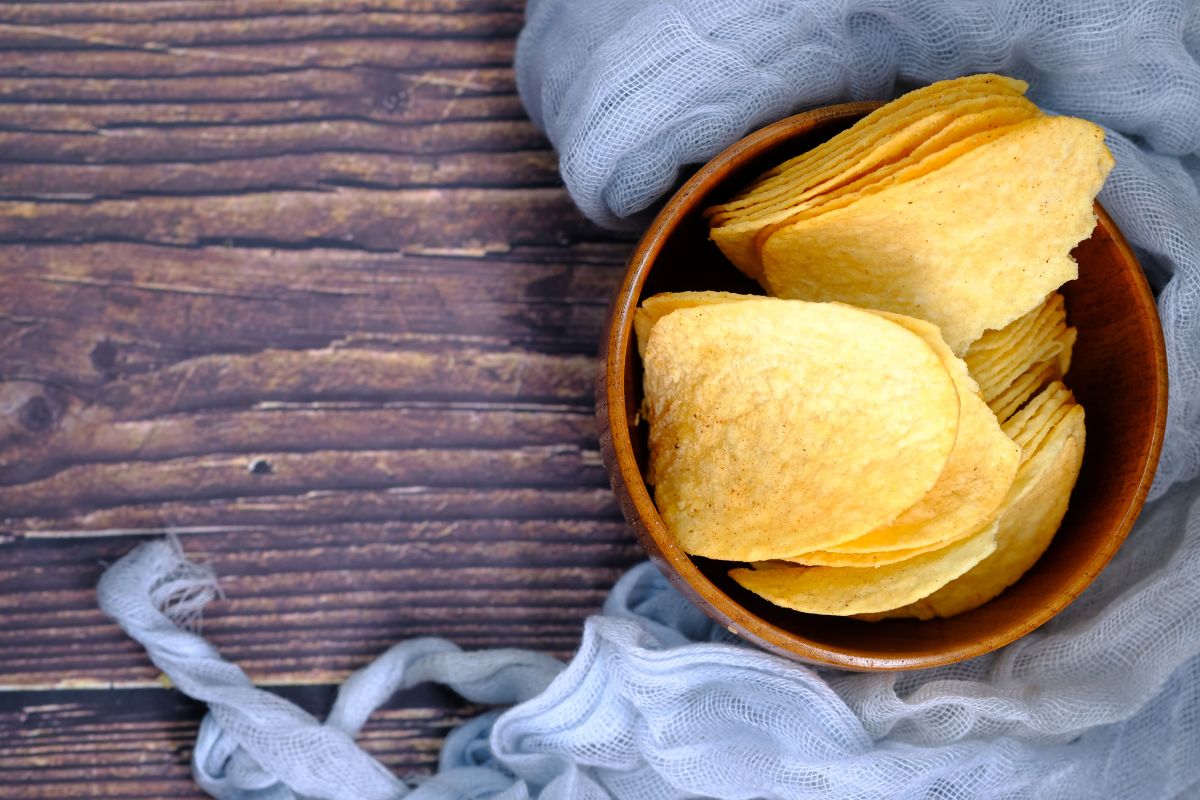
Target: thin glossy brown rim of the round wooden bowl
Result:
[677, 567]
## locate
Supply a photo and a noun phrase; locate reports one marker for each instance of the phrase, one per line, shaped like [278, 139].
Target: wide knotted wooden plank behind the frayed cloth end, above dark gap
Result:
[461, 470]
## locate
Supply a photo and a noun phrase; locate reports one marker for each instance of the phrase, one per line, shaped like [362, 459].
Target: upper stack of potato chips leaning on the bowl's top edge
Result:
[958, 203]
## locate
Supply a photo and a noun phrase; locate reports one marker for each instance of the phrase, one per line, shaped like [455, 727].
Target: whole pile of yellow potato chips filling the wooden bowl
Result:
[910, 449]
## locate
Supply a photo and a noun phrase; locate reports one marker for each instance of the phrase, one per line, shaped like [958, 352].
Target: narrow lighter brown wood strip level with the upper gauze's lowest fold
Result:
[361, 219]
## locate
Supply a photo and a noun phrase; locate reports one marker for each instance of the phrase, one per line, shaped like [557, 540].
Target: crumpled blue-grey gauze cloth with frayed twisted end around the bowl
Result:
[659, 703]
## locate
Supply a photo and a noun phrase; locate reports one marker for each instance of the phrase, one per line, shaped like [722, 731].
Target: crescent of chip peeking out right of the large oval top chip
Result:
[974, 484]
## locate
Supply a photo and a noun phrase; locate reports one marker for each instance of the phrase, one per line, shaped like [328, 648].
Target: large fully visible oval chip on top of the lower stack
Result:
[781, 428]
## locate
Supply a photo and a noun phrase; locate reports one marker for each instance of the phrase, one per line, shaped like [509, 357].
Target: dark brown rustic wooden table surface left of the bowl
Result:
[296, 280]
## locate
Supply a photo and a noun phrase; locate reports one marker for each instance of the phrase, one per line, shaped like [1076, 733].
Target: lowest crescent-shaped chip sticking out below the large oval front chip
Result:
[857, 591]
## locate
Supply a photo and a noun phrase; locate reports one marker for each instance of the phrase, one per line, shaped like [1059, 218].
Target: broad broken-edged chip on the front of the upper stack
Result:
[905, 248]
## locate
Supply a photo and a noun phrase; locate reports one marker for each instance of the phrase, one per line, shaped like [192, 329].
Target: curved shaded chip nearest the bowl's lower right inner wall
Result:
[1028, 525]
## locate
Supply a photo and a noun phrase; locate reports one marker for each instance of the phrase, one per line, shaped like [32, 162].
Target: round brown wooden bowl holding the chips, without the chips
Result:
[1119, 374]
